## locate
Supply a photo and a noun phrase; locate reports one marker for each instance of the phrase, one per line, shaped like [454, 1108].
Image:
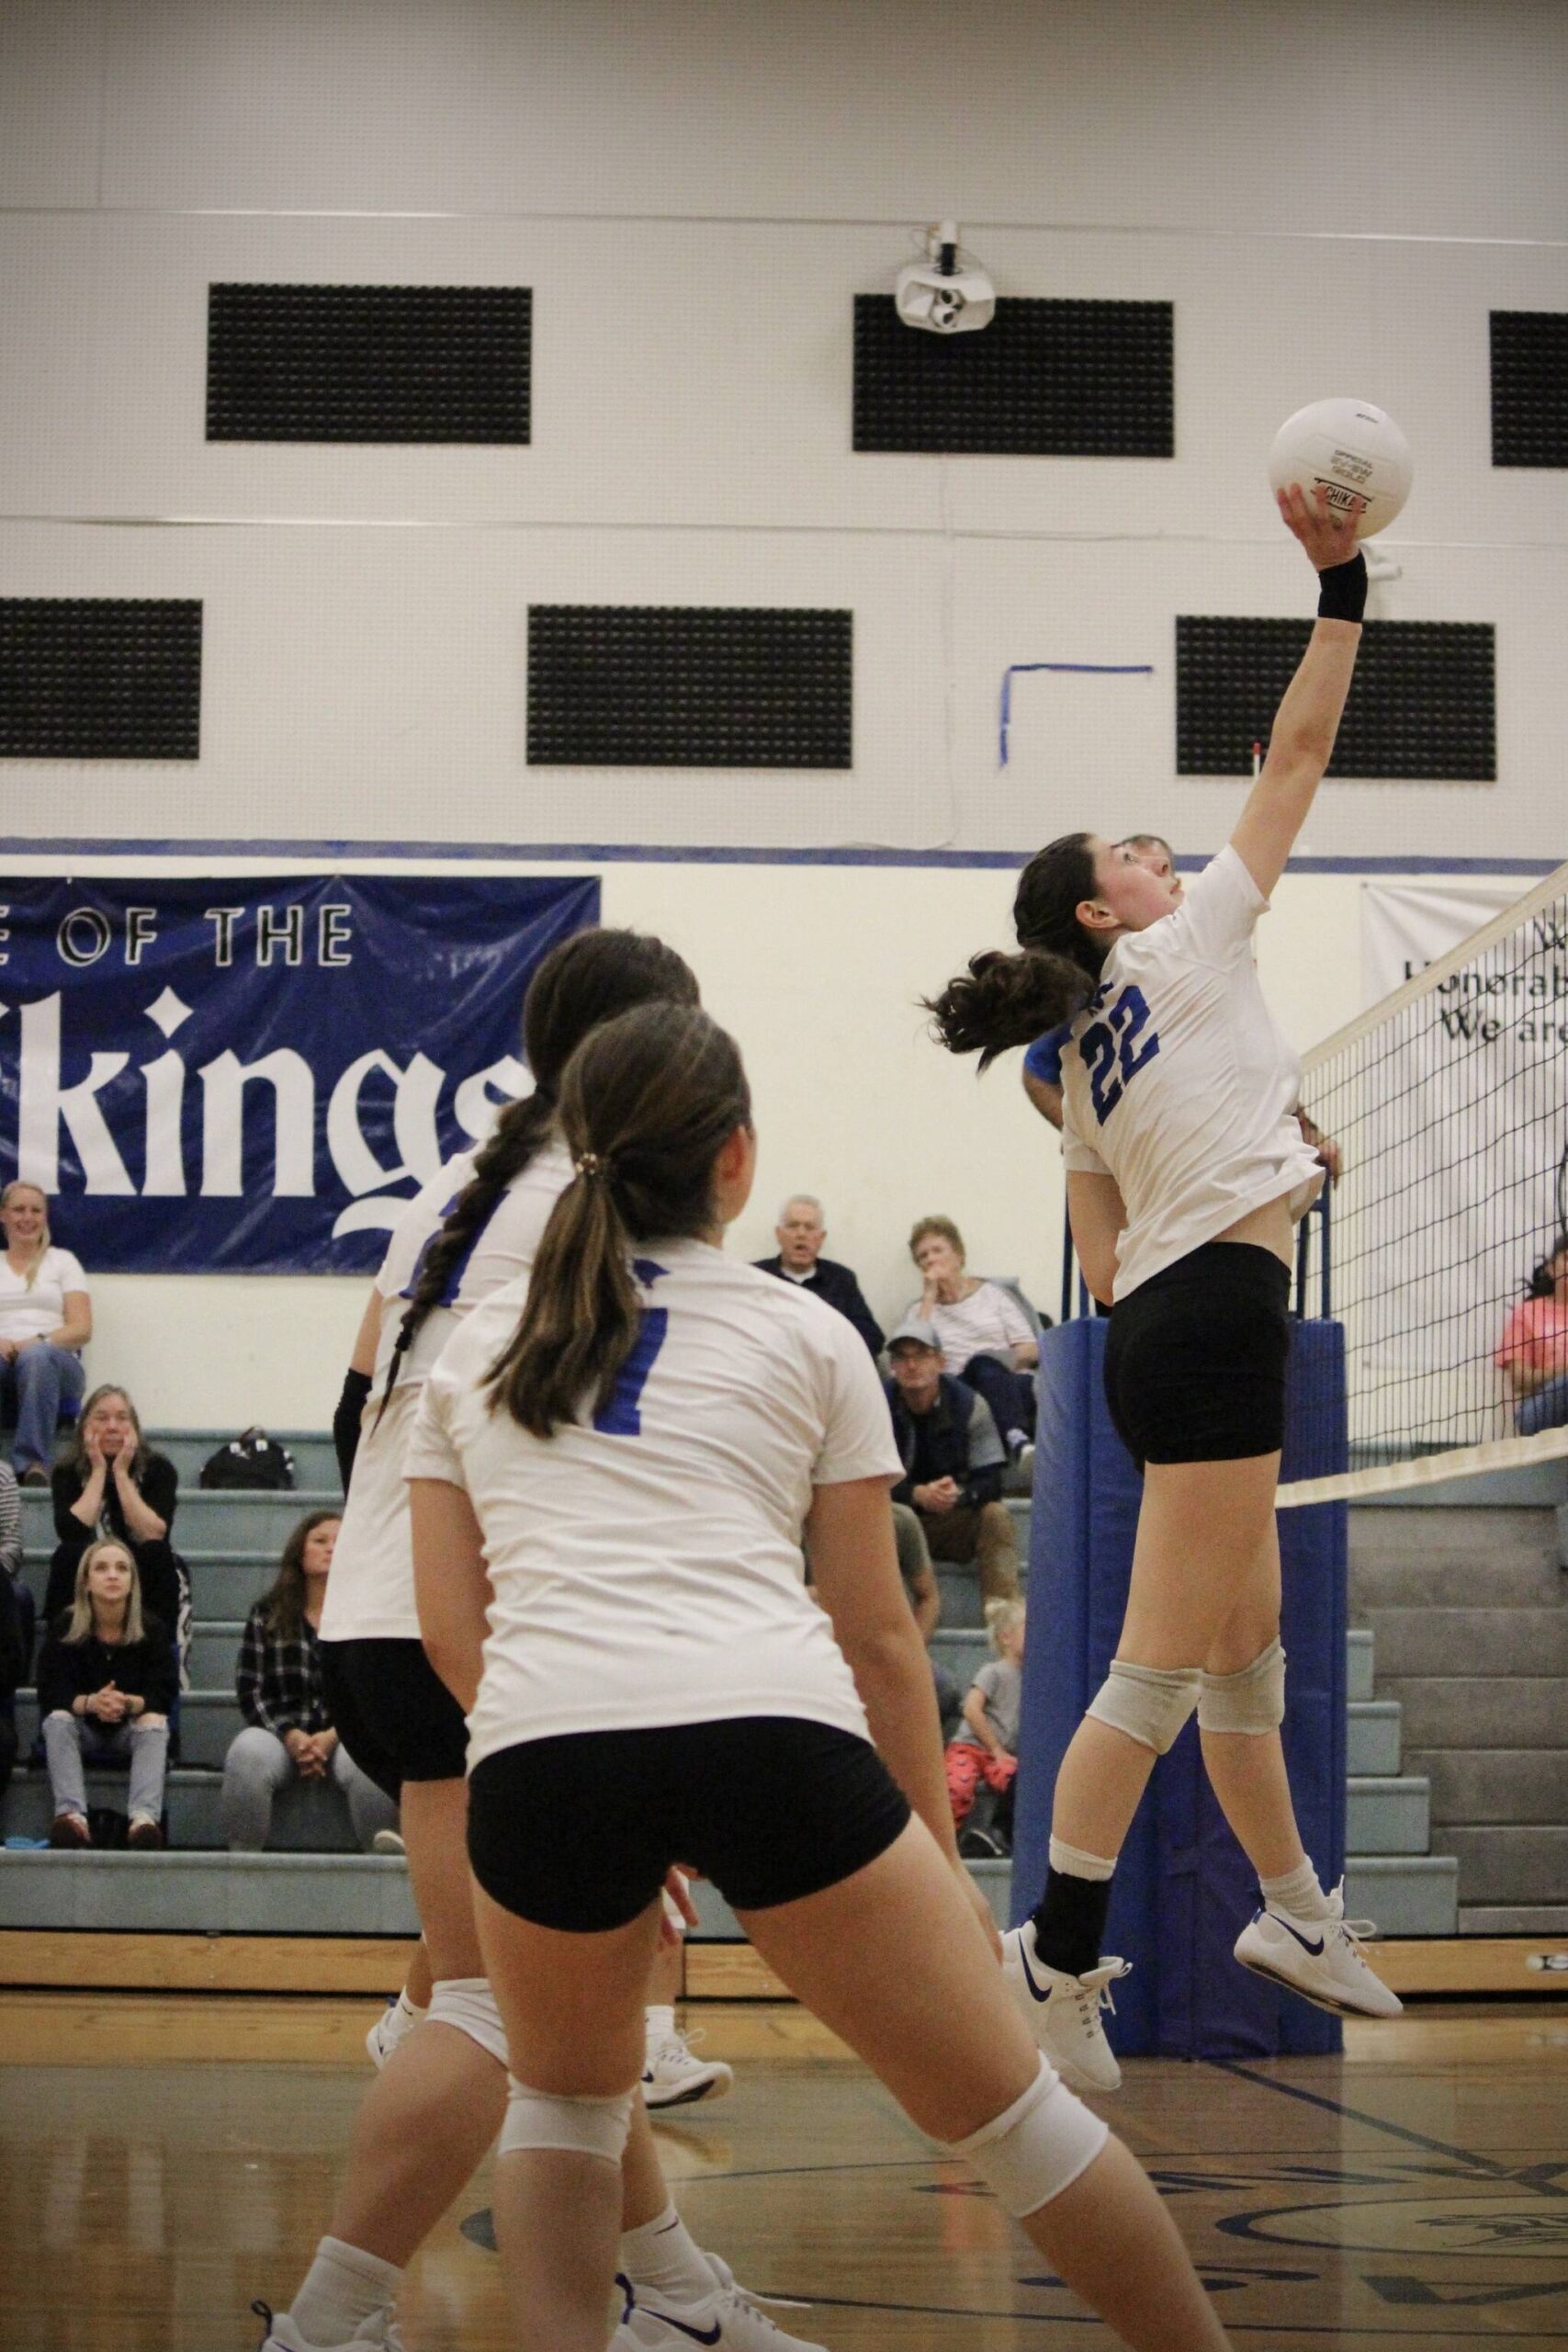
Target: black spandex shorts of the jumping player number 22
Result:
[1195, 1363]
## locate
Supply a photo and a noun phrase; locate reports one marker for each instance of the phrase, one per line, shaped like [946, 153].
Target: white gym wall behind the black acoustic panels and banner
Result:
[1334, 199]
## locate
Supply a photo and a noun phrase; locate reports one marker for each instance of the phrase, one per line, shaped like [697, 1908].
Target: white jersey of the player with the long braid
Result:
[370, 1593]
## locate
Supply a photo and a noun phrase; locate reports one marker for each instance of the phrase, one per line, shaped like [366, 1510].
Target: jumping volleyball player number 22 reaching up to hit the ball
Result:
[1186, 1175]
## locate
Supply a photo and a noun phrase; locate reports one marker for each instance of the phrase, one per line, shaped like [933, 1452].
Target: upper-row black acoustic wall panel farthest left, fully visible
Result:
[368, 363]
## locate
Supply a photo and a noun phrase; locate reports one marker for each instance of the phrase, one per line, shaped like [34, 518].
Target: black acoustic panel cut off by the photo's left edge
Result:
[100, 679]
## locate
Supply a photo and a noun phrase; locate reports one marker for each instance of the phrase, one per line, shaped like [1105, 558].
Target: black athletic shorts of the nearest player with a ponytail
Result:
[579, 1831]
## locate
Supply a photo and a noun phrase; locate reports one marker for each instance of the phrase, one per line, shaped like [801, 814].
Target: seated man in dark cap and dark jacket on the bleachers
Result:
[953, 1462]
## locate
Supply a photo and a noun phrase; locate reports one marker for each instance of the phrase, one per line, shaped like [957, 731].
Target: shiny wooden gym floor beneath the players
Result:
[168, 2158]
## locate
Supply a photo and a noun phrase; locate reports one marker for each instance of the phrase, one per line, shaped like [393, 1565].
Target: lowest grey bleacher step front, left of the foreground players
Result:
[208, 1895]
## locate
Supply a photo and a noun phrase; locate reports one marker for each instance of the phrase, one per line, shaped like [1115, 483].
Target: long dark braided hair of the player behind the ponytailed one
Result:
[589, 980]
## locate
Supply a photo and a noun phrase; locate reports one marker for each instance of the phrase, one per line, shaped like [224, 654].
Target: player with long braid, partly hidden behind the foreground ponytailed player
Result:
[438, 2106]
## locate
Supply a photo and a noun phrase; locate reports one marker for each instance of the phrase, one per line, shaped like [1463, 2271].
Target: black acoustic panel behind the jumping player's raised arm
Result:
[1423, 702]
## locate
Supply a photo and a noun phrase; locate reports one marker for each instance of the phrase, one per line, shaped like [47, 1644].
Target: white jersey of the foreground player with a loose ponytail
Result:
[648, 1568]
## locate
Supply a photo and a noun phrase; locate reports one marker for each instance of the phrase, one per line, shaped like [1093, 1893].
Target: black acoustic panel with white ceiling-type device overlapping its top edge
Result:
[1043, 380]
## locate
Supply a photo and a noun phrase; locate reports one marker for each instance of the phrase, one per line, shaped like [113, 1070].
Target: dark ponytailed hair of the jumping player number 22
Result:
[1005, 1001]
